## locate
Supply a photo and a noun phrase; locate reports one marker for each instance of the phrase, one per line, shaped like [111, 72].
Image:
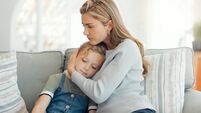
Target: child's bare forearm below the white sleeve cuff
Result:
[41, 104]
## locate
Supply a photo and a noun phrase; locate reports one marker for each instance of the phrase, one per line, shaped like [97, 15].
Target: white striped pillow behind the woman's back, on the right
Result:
[165, 82]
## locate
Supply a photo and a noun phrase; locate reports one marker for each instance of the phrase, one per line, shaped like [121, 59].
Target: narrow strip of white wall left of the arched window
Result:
[6, 10]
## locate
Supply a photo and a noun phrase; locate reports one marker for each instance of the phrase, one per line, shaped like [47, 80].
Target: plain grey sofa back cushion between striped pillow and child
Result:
[33, 69]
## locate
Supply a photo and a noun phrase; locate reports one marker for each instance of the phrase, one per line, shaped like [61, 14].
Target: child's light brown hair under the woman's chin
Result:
[99, 48]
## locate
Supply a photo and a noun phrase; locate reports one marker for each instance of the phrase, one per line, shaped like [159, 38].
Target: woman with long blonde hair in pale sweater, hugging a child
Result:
[118, 86]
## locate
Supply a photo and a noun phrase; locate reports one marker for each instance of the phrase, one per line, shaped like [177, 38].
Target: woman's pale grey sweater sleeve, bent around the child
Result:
[111, 75]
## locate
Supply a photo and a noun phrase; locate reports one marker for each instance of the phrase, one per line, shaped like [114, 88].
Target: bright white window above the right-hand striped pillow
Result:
[170, 23]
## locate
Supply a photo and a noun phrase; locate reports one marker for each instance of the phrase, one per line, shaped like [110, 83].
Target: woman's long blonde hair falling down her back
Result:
[105, 10]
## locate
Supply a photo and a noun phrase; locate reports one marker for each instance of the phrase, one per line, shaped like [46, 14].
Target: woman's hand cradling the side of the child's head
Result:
[71, 63]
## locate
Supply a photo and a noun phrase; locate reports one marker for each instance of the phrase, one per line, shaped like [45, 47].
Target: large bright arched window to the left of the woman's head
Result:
[48, 25]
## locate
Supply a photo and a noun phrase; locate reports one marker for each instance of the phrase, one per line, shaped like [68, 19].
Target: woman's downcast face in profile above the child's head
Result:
[95, 31]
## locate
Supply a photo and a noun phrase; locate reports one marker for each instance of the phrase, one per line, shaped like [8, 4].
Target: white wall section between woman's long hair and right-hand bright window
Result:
[134, 14]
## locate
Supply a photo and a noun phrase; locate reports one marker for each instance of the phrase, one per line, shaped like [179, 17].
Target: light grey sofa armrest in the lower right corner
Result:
[192, 101]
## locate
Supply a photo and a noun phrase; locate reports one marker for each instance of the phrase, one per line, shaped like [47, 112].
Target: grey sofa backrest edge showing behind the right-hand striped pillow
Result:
[189, 72]
